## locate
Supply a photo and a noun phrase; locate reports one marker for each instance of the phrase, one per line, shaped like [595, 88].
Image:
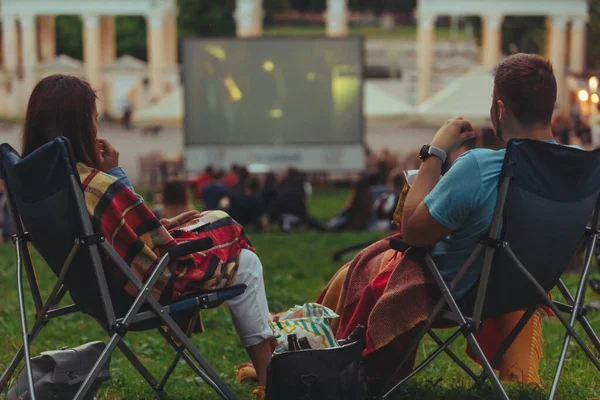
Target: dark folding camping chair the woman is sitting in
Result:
[45, 193]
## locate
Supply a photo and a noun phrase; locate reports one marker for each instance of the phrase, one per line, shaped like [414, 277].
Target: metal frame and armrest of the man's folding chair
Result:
[468, 325]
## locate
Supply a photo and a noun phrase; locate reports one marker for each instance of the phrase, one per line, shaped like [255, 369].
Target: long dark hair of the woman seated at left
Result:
[62, 105]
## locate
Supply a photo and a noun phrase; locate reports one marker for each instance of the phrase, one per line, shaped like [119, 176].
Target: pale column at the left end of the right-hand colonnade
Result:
[425, 54]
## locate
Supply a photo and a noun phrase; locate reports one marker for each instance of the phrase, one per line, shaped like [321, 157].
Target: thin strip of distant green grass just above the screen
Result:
[372, 32]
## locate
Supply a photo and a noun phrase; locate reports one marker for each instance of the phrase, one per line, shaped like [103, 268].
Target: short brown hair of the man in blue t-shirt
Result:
[526, 85]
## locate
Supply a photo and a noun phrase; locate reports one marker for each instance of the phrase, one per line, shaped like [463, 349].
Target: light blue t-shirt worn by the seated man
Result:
[464, 201]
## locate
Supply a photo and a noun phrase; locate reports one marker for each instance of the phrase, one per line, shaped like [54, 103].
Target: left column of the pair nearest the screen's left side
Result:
[156, 54]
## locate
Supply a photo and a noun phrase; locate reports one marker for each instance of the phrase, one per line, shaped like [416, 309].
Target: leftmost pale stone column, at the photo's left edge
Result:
[11, 62]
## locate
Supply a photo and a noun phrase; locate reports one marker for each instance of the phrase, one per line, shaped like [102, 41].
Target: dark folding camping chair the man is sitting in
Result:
[546, 197]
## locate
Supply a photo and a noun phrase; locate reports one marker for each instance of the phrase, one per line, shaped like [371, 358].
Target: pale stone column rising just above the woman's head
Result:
[92, 54]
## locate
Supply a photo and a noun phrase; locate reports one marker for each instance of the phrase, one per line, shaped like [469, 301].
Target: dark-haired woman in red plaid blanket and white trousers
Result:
[66, 106]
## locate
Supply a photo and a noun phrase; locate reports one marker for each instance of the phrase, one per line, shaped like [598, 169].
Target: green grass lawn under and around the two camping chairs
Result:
[296, 267]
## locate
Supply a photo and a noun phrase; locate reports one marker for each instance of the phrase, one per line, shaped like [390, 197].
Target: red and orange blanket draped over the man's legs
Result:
[391, 293]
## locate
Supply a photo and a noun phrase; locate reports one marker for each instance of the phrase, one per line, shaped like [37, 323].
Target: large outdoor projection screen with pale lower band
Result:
[275, 101]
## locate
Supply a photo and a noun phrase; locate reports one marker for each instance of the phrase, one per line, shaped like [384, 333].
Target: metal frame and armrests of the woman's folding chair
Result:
[116, 328]
